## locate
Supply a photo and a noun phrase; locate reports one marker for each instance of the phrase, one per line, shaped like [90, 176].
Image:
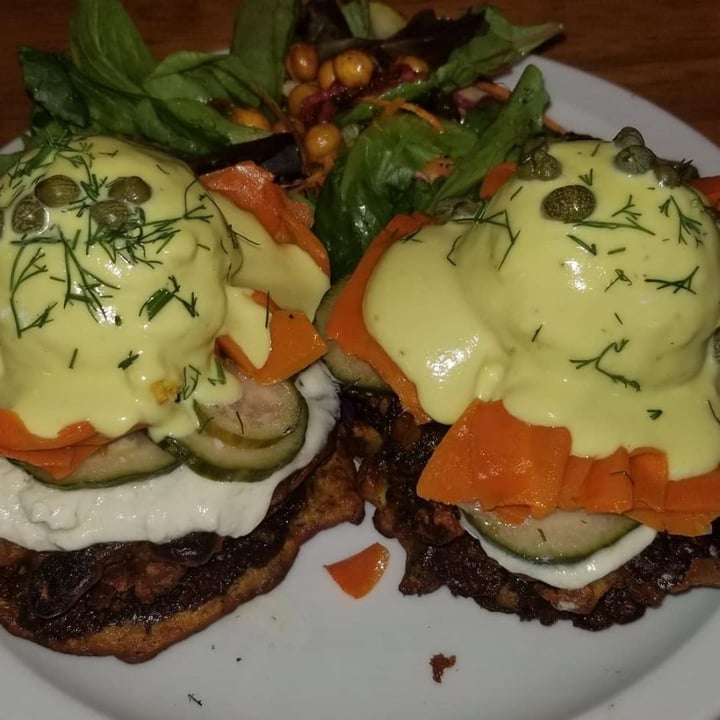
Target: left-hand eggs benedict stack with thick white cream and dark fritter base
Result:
[167, 437]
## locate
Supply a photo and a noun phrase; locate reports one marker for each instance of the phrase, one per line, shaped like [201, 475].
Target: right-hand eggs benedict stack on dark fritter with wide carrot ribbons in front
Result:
[553, 450]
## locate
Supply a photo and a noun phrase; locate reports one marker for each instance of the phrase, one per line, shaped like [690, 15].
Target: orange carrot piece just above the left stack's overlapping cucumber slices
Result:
[294, 345]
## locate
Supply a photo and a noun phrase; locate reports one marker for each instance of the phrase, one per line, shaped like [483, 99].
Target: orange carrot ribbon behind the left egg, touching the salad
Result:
[250, 187]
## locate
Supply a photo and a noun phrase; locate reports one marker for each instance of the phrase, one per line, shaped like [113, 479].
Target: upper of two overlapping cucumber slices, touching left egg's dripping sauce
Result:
[262, 414]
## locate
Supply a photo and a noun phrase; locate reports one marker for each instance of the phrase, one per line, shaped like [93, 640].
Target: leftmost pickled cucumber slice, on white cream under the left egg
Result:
[132, 457]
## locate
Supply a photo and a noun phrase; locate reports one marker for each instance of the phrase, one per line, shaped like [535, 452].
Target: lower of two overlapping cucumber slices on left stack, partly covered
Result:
[213, 458]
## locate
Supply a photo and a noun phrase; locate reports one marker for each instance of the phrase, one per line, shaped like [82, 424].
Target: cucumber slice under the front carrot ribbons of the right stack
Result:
[560, 538]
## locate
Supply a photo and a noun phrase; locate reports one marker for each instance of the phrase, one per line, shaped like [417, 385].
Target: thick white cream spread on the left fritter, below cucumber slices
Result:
[41, 517]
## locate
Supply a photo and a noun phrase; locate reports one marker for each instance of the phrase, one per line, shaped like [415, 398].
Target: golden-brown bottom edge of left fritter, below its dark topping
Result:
[328, 497]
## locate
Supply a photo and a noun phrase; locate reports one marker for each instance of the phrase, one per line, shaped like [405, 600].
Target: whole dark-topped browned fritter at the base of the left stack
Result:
[133, 600]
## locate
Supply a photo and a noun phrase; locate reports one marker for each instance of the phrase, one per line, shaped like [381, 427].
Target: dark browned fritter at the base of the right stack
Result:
[439, 552]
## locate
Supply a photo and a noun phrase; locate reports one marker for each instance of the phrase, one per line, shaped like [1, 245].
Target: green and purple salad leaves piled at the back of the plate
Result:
[109, 83]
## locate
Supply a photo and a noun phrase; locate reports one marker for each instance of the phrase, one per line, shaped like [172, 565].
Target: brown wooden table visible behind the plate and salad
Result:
[666, 51]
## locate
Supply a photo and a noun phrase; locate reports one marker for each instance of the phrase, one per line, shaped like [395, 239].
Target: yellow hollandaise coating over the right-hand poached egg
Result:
[587, 301]
